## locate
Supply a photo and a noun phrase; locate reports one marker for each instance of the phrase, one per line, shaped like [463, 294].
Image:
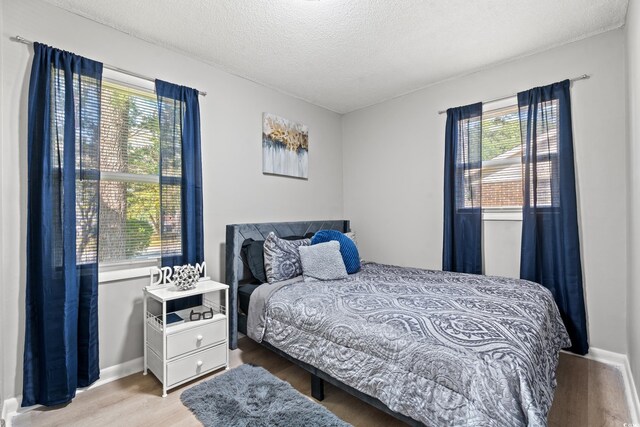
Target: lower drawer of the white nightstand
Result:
[196, 364]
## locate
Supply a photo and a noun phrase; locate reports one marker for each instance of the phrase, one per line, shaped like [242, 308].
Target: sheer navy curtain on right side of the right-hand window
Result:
[550, 240]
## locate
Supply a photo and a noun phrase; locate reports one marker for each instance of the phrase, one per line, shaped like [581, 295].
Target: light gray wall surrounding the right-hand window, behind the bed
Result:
[394, 166]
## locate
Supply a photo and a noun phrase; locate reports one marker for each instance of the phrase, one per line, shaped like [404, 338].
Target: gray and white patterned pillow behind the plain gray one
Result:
[281, 258]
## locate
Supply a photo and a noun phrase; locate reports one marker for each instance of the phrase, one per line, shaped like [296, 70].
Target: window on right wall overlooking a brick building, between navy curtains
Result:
[502, 169]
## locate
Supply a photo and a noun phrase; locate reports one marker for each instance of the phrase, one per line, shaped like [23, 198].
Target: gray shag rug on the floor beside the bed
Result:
[250, 396]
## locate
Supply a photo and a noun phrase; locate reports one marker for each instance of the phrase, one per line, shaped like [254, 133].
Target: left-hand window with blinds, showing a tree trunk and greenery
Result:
[130, 214]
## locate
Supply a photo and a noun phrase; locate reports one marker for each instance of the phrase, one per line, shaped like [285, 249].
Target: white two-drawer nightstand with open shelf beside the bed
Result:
[180, 352]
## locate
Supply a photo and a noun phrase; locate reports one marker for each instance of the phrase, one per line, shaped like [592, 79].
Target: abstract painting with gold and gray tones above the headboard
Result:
[285, 147]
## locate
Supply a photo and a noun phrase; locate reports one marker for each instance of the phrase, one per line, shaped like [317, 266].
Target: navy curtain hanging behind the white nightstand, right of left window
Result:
[180, 178]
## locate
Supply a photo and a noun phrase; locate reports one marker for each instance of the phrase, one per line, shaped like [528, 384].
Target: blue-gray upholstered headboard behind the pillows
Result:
[237, 272]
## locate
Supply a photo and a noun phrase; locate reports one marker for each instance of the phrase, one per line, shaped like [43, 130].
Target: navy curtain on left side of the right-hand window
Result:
[462, 245]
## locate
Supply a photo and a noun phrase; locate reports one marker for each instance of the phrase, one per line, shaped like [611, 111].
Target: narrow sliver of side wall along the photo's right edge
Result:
[633, 76]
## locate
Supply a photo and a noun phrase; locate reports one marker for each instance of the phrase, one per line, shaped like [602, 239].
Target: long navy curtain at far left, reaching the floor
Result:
[61, 331]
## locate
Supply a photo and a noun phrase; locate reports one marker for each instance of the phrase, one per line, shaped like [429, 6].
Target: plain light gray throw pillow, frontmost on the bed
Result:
[322, 262]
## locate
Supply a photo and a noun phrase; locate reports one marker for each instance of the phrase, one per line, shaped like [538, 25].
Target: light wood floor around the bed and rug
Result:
[588, 394]
